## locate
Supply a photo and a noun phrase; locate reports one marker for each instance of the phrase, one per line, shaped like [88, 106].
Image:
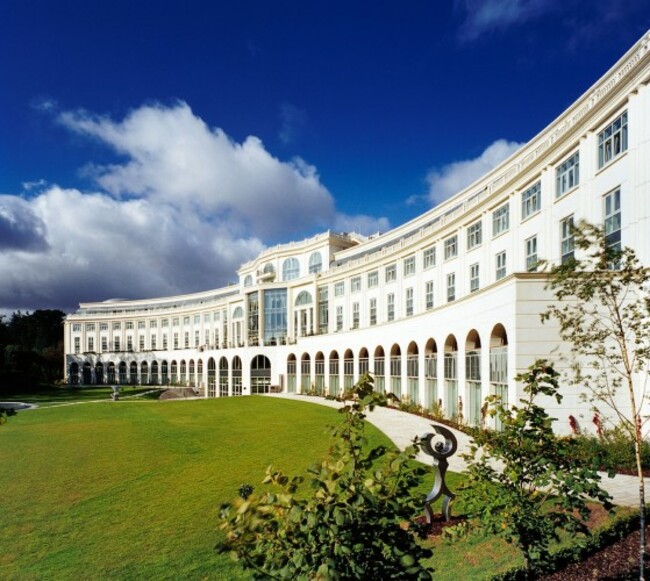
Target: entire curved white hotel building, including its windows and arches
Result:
[445, 308]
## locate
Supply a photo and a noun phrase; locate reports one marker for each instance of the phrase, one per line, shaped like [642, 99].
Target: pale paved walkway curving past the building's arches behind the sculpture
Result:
[401, 427]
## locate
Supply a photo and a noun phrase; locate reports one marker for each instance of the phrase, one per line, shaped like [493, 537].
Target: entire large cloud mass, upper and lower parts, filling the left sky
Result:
[184, 208]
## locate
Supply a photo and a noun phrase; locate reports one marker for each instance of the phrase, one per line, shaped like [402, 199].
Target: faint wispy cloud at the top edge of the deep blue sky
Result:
[484, 16]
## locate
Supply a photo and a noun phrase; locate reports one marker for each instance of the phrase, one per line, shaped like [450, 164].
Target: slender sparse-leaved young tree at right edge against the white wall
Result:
[604, 314]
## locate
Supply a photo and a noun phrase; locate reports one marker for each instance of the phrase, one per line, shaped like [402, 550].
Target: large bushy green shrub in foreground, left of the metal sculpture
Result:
[356, 523]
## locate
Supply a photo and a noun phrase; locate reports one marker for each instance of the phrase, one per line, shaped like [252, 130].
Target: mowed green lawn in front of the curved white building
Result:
[131, 490]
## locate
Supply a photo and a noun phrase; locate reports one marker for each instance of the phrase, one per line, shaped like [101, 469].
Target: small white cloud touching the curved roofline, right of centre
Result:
[452, 178]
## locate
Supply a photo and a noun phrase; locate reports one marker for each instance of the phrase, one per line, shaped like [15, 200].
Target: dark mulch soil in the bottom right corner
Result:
[618, 561]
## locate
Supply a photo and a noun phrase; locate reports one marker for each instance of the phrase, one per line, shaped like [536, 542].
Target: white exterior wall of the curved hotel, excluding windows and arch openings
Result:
[514, 301]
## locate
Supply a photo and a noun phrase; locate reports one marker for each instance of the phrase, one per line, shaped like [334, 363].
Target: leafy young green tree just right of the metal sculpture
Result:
[524, 484]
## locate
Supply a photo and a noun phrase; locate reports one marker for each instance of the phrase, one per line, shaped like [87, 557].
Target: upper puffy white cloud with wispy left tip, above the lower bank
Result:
[175, 158]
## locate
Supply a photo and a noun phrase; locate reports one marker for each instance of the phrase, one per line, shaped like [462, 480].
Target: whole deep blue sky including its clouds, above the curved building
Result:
[150, 147]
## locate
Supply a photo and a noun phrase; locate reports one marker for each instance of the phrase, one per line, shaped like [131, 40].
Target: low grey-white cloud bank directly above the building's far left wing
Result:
[98, 247]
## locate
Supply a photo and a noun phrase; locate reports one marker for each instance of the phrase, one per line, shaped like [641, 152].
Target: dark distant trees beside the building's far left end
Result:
[31, 349]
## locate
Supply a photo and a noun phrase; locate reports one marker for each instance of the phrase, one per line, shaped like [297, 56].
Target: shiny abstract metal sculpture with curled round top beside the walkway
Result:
[441, 445]
